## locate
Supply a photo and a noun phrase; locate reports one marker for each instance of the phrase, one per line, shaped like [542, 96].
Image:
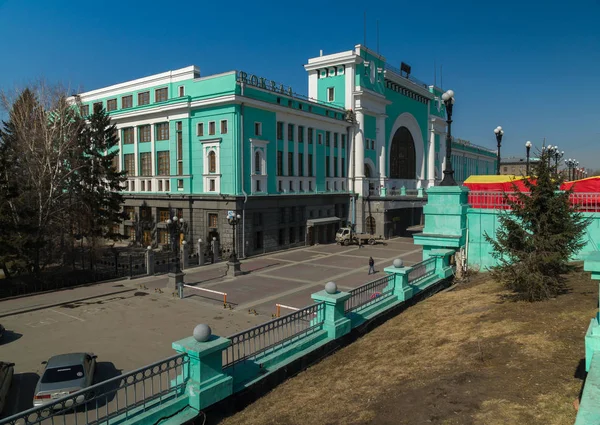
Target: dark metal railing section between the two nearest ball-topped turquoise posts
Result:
[265, 338]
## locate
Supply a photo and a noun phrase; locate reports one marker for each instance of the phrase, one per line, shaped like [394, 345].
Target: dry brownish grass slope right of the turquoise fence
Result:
[467, 356]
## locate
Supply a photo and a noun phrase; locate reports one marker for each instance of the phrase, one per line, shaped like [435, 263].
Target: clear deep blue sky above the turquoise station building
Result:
[530, 66]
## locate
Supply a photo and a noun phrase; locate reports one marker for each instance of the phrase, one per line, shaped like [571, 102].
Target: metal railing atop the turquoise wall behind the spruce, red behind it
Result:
[586, 202]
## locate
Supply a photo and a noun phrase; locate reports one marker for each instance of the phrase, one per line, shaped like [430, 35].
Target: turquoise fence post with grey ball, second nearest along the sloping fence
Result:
[335, 321]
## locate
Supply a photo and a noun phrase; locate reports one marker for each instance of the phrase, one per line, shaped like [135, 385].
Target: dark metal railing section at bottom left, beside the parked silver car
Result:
[125, 395]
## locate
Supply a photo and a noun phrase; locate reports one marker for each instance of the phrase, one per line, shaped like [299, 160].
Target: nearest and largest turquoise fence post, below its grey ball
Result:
[207, 383]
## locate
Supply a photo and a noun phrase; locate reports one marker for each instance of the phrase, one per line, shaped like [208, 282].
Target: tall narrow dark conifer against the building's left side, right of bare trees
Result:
[100, 182]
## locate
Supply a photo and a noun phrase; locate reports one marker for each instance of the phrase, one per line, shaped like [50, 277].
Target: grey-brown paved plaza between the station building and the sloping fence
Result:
[131, 323]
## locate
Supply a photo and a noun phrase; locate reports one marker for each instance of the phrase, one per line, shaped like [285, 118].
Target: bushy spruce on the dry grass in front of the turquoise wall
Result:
[538, 236]
